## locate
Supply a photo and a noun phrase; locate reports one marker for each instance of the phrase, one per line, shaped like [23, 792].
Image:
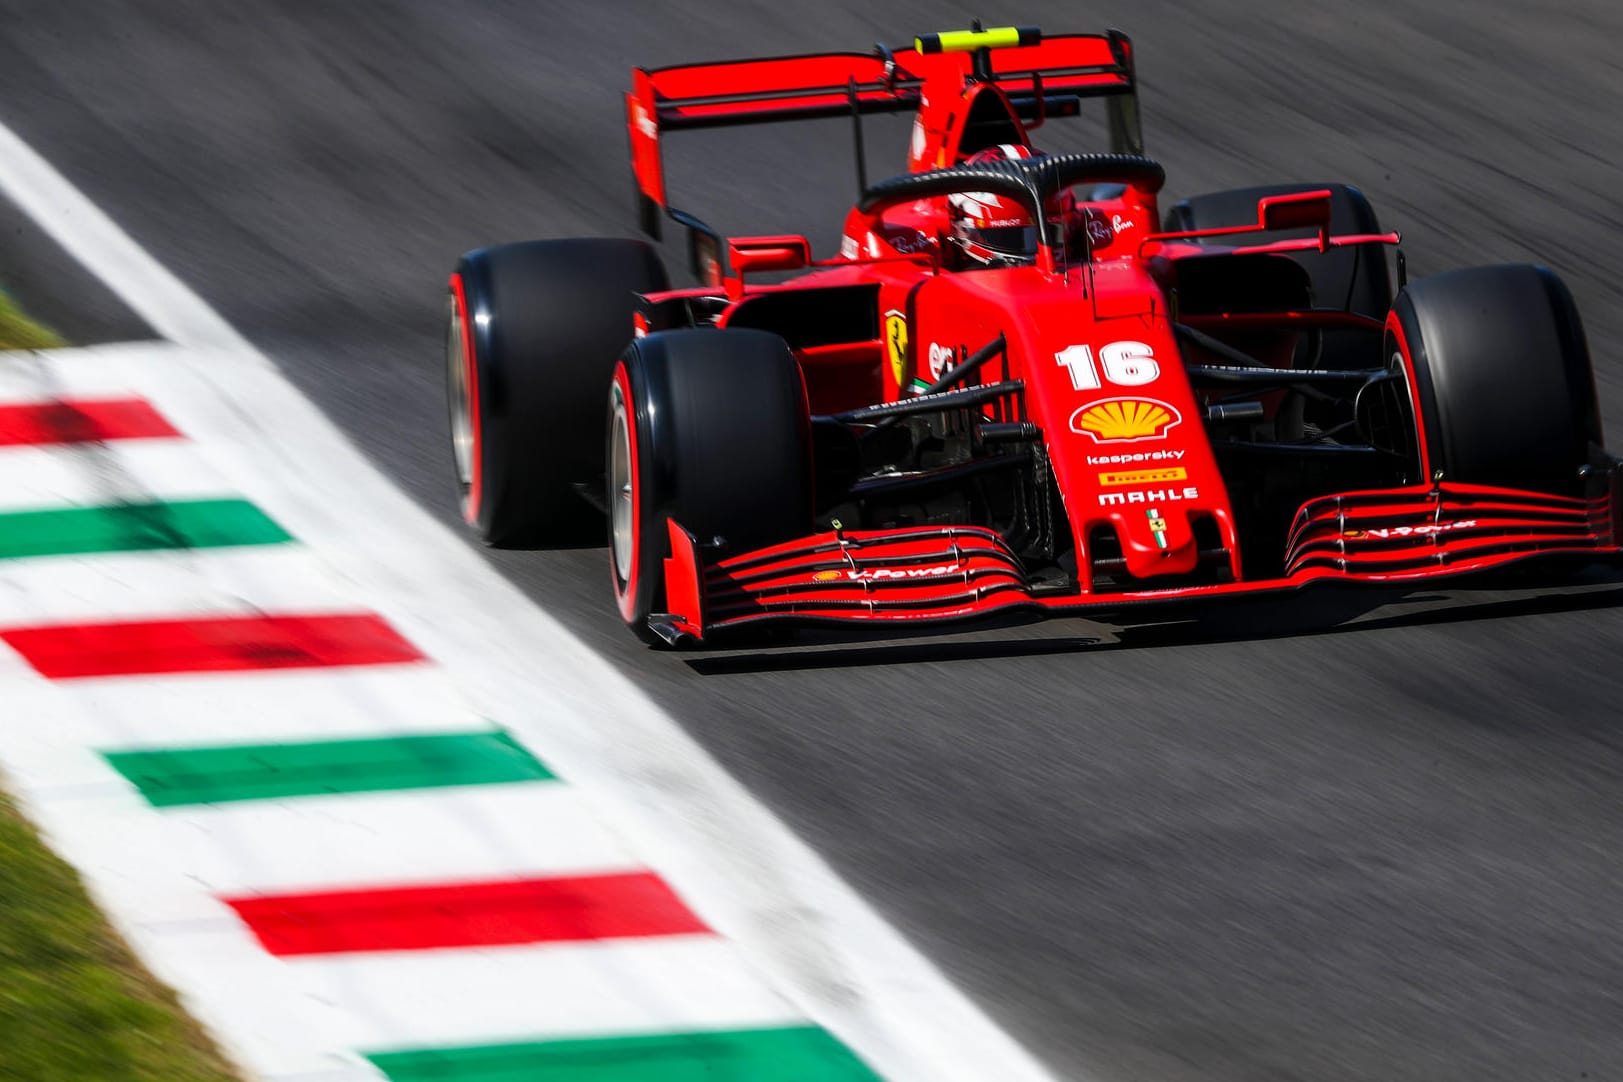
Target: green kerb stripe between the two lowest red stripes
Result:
[204, 776]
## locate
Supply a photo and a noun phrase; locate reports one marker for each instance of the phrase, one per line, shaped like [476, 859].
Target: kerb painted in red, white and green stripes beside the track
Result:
[423, 883]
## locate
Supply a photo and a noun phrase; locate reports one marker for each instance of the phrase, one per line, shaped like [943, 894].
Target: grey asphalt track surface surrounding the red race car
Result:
[1335, 838]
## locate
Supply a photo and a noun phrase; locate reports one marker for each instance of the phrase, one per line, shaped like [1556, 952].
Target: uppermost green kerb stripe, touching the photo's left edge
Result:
[137, 528]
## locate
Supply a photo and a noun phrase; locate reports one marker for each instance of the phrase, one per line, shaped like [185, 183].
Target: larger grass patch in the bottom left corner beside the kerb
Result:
[74, 1000]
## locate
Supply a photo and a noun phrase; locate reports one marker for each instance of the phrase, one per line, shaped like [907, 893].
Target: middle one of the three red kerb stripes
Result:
[210, 645]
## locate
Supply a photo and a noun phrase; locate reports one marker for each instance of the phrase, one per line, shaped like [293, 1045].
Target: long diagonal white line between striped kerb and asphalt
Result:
[733, 861]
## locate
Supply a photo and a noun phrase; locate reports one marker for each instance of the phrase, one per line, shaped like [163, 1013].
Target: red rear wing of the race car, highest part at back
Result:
[1043, 77]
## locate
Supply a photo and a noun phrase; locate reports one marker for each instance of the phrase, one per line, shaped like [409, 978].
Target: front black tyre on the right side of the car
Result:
[1500, 377]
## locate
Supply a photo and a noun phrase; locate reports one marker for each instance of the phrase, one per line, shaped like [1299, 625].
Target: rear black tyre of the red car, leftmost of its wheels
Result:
[533, 332]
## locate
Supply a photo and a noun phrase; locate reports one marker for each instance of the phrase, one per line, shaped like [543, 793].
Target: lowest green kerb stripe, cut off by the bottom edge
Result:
[780, 1055]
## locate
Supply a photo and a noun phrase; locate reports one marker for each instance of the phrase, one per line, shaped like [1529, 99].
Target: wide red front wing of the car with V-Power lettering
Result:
[944, 573]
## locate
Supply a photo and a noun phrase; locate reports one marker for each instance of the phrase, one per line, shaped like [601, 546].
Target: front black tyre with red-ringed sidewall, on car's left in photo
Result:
[708, 429]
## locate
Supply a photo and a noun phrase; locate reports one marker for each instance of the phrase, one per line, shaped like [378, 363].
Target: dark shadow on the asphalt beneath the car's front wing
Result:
[1252, 620]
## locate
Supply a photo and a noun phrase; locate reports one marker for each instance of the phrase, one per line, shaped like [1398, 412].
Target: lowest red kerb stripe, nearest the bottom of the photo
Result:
[470, 916]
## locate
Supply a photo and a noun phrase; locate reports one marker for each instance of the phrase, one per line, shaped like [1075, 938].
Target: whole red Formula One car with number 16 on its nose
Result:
[1020, 385]
